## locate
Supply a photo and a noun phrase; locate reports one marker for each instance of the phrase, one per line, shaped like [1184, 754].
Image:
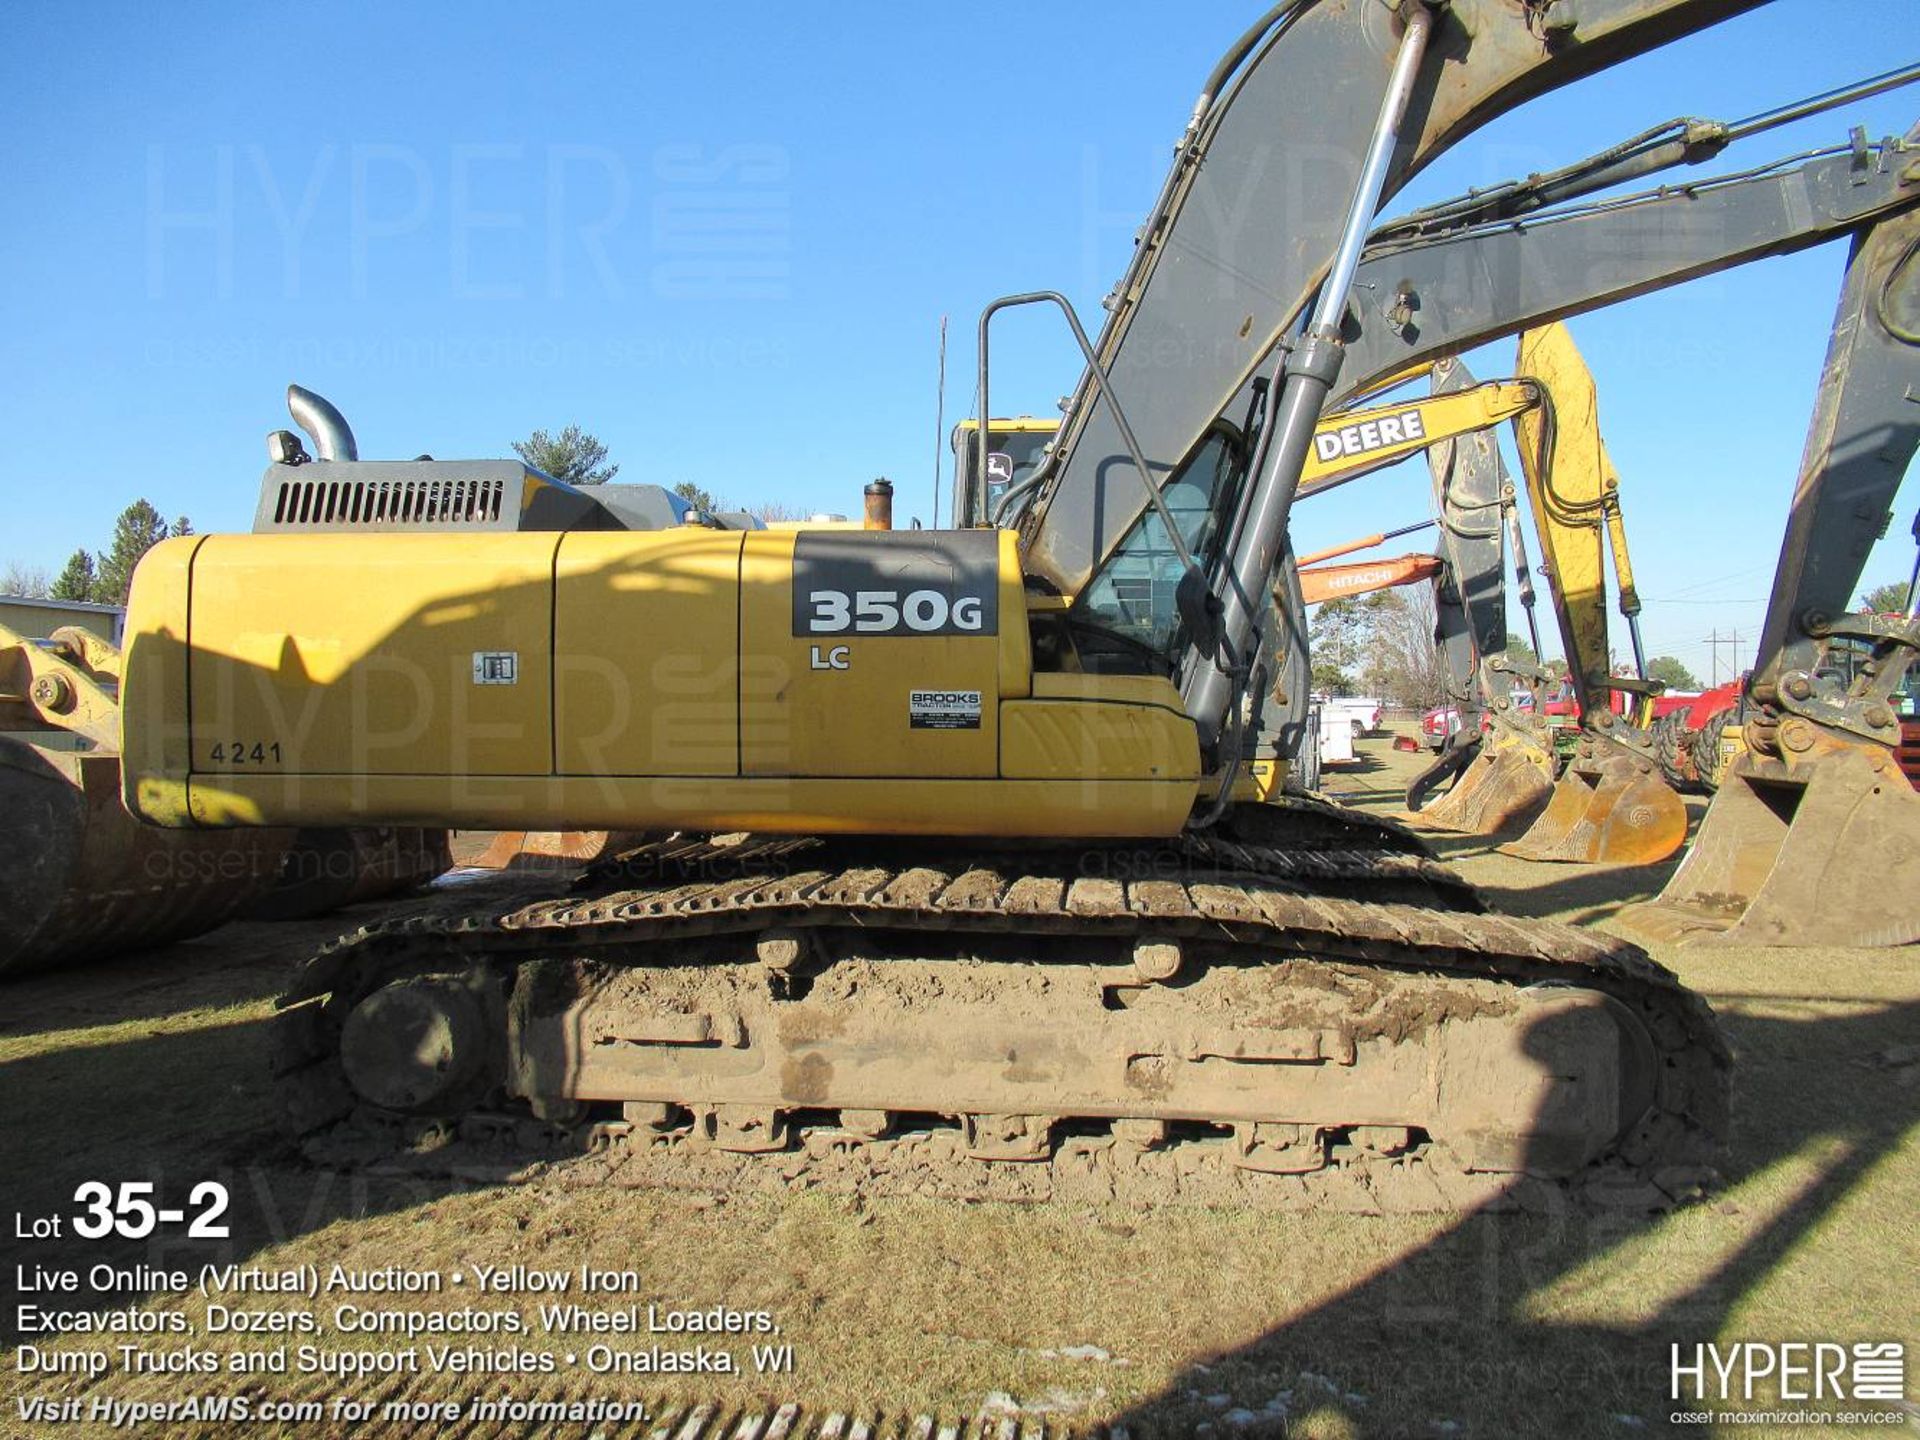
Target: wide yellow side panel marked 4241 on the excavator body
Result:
[373, 656]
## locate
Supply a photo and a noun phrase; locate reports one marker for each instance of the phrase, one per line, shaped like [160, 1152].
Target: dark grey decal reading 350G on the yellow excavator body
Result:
[884, 583]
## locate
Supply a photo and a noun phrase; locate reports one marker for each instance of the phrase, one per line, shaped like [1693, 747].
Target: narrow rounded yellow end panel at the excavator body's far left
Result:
[155, 736]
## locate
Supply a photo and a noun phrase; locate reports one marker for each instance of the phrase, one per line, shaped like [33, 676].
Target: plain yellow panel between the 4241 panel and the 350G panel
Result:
[646, 633]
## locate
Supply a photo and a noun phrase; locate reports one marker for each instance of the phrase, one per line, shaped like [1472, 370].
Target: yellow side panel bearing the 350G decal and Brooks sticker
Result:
[842, 704]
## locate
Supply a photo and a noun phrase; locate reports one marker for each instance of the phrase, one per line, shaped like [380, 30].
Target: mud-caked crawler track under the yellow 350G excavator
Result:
[648, 1022]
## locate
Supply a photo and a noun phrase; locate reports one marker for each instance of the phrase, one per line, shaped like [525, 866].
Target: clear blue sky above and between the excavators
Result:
[725, 243]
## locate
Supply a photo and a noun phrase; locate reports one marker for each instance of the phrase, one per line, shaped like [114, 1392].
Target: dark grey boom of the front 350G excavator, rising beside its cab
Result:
[1241, 239]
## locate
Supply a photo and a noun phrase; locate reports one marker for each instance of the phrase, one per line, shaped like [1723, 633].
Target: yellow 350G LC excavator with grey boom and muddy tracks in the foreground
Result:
[955, 892]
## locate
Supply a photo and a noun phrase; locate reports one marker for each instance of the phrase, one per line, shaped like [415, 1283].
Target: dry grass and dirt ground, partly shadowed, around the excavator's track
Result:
[1172, 1322]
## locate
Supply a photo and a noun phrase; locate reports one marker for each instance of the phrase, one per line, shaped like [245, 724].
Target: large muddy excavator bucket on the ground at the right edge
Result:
[1827, 857]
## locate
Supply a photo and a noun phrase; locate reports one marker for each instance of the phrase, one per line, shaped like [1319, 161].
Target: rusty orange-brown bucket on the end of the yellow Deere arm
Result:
[1606, 811]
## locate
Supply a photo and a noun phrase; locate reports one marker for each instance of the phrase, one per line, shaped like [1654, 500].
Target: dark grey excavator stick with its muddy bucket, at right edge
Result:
[1813, 838]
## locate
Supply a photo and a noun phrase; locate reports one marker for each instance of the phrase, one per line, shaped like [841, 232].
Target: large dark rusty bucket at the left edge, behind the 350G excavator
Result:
[85, 880]
